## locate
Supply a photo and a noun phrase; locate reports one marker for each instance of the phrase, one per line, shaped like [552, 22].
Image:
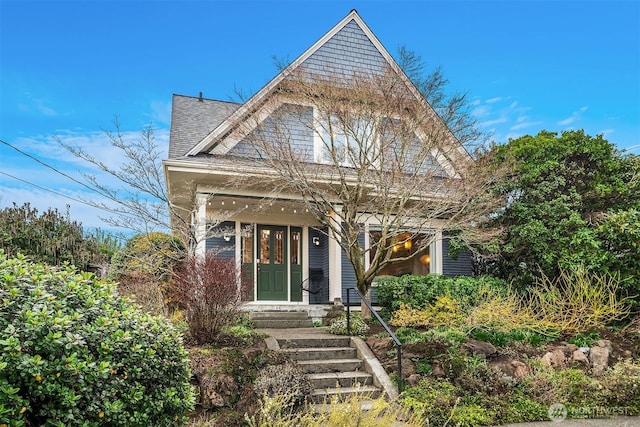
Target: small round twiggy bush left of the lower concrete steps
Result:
[287, 381]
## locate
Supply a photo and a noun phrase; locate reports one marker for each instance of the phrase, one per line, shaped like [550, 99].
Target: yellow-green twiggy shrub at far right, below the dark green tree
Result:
[579, 300]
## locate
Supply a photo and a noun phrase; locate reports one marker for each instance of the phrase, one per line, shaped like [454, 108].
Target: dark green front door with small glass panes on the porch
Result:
[272, 263]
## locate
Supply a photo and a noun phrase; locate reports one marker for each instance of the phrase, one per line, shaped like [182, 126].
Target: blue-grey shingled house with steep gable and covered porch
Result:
[214, 176]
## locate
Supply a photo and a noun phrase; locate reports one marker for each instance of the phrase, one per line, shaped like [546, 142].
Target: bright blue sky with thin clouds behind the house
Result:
[66, 68]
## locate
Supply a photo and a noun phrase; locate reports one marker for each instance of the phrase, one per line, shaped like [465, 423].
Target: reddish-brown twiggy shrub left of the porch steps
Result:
[207, 291]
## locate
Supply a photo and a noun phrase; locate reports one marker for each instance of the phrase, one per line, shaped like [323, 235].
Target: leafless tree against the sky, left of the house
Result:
[142, 203]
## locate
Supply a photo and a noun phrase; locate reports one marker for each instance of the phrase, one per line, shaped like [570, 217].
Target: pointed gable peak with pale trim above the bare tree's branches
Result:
[336, 47]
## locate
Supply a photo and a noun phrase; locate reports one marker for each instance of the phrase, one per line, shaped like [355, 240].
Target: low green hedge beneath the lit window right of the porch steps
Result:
[420, 291]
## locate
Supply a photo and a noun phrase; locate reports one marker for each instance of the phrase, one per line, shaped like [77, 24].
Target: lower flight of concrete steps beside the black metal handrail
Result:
[333, 365]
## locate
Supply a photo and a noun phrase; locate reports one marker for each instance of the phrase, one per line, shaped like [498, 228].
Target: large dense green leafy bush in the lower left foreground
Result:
[73, 352]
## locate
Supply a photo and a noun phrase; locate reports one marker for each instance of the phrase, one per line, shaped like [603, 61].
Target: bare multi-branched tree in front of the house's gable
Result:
[382, 160]
